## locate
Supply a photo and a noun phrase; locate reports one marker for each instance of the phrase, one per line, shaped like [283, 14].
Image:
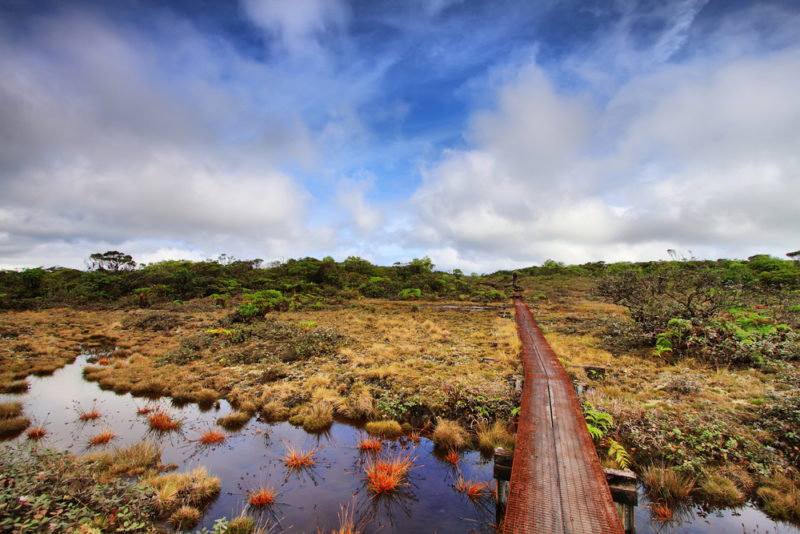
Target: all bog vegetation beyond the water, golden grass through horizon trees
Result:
[689, 369]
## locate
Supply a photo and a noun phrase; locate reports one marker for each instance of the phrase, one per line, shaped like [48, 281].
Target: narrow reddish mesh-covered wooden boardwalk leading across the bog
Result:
[557, 483]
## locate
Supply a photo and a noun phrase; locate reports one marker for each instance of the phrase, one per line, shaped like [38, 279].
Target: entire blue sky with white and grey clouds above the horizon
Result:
[483, 134]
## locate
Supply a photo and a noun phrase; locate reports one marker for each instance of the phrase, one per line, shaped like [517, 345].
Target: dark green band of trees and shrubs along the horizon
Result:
[114, 278]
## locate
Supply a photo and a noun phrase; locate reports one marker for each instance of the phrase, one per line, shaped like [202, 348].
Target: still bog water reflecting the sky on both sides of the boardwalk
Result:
[311, 499]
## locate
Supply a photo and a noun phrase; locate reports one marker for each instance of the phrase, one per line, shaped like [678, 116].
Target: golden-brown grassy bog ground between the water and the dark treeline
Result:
[702, 405]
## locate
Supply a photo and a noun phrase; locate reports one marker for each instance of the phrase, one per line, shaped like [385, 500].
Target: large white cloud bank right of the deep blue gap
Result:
[700, 155]
